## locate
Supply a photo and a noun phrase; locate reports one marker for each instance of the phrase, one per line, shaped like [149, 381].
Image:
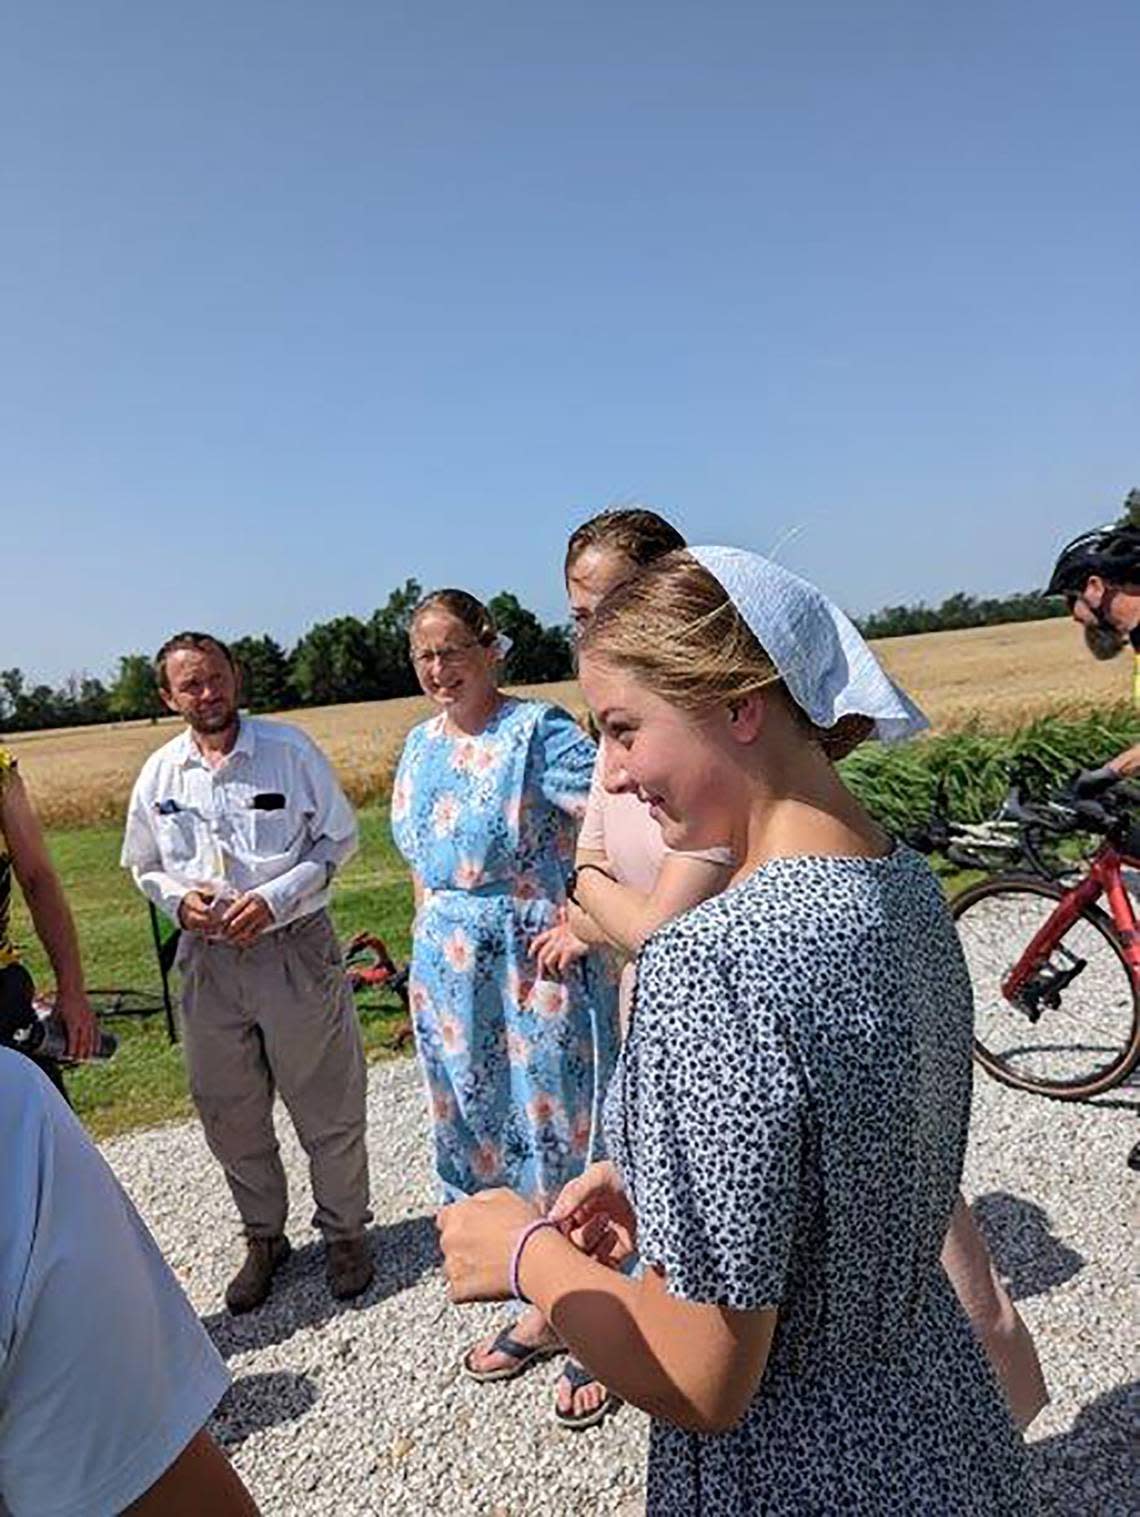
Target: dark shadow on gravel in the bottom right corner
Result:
[1092, 1468]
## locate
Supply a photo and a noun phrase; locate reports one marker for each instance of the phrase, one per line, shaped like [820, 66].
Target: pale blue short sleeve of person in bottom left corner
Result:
[87, 1304]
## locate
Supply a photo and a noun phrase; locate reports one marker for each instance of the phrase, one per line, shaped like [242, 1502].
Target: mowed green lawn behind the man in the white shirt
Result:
[145, 1084]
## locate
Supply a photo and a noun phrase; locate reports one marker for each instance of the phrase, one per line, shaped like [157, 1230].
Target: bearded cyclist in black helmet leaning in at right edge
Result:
[1100, 577]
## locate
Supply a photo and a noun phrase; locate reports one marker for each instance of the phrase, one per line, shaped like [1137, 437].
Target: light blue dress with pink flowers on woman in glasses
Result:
[517, 1067]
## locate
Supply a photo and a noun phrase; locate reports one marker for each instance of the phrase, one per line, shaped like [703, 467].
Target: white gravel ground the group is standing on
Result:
[361, 1409]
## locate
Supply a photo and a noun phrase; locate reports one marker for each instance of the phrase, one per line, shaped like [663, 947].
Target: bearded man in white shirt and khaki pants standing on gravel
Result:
[235, 831]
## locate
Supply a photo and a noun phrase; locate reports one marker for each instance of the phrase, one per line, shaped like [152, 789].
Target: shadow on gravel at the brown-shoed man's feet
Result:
[405, 1252]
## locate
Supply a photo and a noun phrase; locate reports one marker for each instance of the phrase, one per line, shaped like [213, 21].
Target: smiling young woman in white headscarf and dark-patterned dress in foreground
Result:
[790, 1111]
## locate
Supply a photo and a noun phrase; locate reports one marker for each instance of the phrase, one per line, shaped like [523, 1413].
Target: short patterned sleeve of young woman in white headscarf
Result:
[720, 1117]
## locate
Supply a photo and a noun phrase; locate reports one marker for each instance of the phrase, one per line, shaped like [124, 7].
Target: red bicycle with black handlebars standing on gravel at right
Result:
[1056, 975]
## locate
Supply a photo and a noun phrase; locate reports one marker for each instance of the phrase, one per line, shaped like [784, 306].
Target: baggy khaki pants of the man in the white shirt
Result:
[279, 1017]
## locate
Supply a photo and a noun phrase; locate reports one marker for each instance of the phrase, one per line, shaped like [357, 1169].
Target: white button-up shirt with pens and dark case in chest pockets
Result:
[271, 818]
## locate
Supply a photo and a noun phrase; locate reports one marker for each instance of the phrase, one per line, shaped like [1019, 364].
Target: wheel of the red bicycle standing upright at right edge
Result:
[1074, 1029]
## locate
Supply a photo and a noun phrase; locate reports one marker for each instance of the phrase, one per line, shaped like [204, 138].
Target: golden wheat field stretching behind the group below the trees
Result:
[997, 676]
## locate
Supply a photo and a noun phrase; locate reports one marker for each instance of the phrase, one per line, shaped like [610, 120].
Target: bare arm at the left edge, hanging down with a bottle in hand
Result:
[51, 914]
